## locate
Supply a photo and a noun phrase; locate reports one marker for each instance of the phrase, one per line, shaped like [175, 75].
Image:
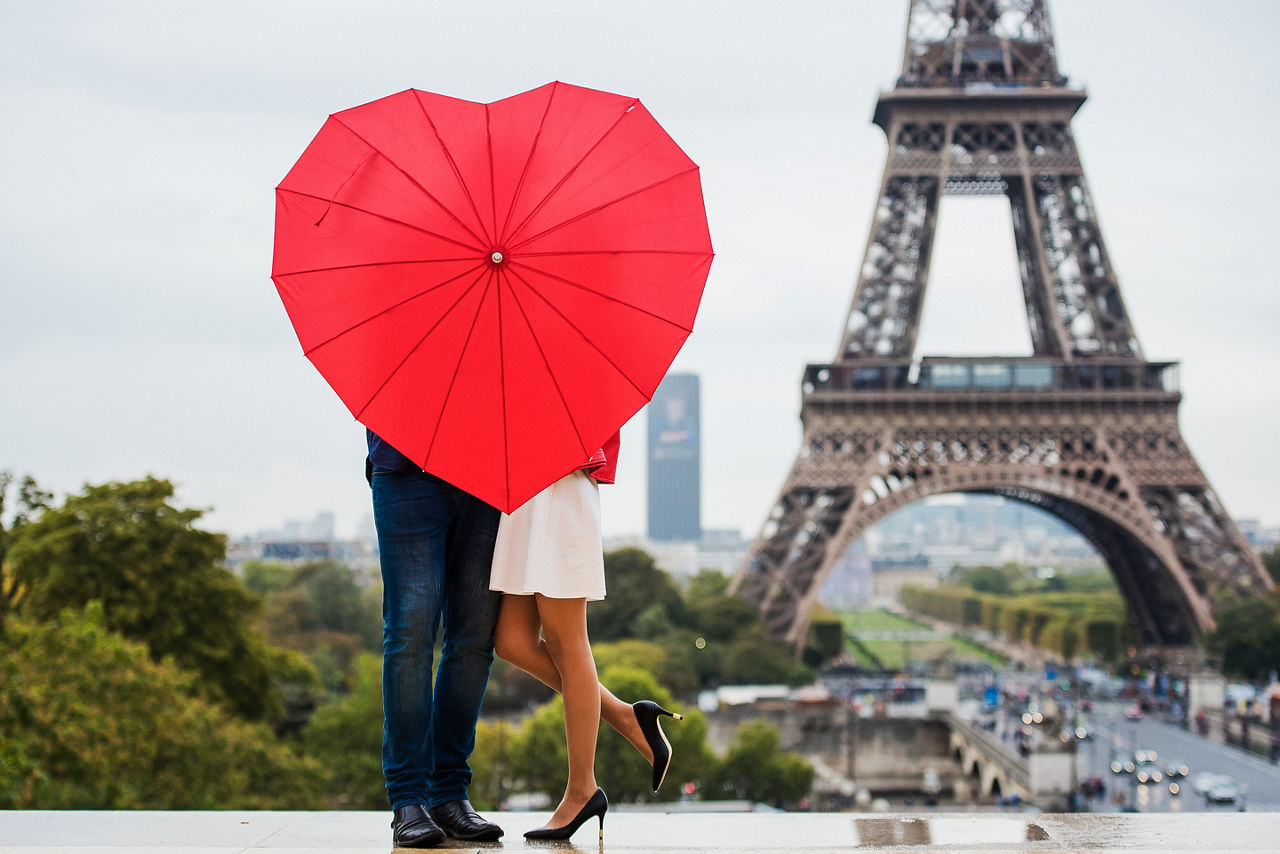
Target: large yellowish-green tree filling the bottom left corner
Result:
[90, 721]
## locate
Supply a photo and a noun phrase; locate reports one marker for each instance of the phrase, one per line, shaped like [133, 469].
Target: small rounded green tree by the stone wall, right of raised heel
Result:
[757, 770]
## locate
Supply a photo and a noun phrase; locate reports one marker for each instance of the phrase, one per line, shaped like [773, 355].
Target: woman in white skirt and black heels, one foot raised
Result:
[548, 564]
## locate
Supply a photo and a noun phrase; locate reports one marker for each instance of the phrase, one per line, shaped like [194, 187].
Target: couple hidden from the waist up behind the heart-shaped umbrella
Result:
[516, 583]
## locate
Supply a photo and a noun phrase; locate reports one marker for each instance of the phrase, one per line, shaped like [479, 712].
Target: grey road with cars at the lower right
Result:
[1260, 778]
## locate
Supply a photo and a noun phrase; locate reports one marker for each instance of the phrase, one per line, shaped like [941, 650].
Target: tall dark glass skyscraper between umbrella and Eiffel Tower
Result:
[675, 462]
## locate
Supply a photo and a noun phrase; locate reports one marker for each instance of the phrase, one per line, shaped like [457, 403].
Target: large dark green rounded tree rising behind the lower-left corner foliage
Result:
[159, 581]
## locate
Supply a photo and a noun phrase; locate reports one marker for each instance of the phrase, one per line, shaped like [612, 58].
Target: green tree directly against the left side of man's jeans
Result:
[346, 738]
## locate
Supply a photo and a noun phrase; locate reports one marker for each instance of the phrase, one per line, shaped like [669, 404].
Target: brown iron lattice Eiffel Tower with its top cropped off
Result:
[1086, 428]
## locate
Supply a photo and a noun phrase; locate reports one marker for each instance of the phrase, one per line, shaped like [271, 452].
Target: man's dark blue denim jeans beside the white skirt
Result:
[437, 549]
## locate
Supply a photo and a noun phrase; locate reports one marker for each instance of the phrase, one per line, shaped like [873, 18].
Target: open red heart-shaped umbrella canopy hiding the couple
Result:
[493, 289]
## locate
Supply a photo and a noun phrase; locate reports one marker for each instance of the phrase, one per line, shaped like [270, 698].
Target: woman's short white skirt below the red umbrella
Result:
[552, 544]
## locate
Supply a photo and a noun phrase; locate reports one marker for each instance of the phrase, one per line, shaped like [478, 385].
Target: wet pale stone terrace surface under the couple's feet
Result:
[225, 833]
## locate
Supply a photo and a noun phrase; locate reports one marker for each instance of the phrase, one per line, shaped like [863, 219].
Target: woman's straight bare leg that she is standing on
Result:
[570, 650]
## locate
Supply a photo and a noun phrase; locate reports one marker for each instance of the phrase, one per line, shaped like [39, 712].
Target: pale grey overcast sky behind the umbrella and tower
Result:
[143, 141]
